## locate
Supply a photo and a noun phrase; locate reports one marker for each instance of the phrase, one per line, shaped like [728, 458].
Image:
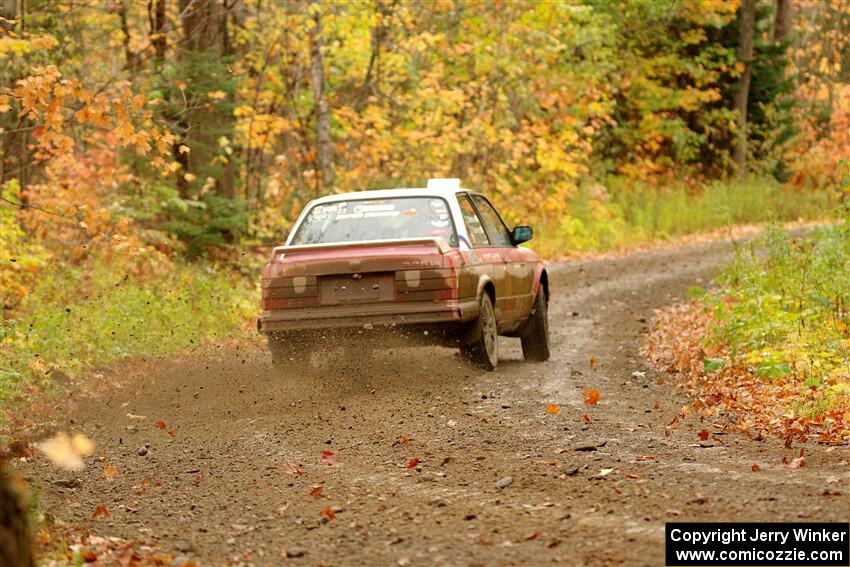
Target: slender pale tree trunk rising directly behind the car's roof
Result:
[324, 146]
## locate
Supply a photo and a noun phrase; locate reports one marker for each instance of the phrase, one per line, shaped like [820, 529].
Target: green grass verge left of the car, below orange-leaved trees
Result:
[78, 318]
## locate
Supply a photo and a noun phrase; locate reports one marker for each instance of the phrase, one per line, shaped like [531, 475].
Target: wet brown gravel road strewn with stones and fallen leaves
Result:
[229, 478]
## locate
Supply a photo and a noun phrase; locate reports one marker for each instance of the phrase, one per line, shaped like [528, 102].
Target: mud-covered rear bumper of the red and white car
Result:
[413, 313]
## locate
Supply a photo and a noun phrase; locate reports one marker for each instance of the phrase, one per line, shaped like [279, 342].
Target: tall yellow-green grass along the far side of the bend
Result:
[622, 216]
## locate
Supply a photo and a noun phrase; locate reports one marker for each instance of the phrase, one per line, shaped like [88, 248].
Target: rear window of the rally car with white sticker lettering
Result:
[376, 219]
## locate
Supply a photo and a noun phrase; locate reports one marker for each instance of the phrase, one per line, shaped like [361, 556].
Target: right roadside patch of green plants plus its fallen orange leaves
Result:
[771, 345]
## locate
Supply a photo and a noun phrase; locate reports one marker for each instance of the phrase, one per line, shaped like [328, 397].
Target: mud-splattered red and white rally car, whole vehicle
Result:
[417, 264]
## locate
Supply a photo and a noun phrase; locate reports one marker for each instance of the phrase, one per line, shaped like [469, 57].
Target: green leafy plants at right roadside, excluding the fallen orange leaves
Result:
[784, 312]
